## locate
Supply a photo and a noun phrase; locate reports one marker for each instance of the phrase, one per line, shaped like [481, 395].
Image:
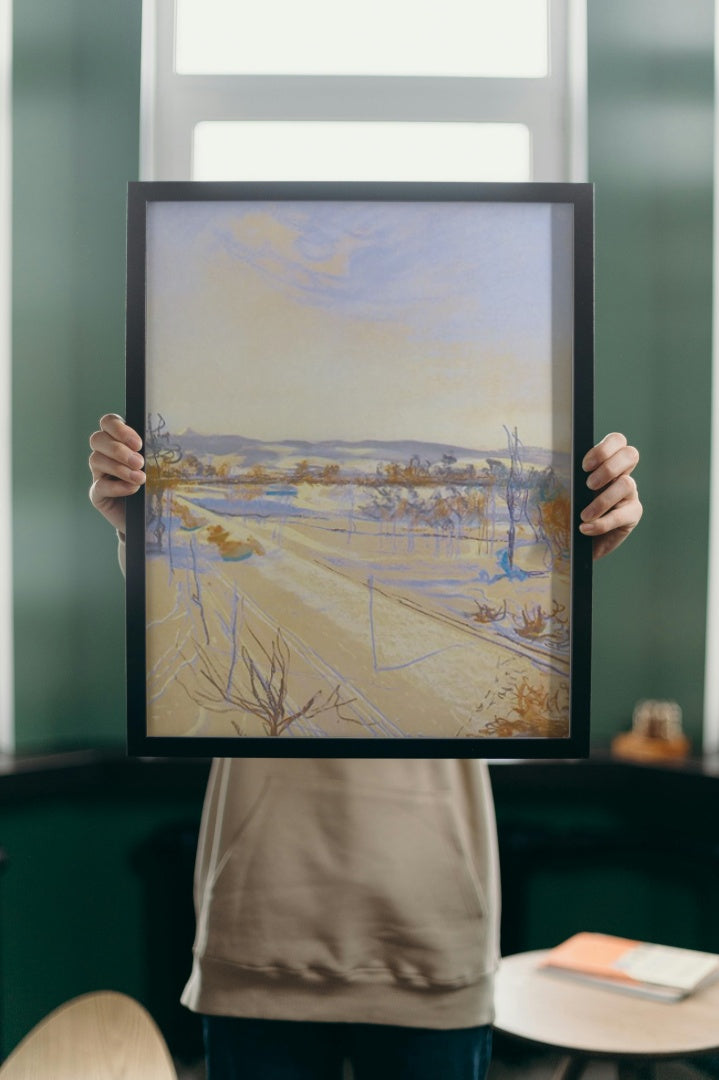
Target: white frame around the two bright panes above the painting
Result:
[553, 109]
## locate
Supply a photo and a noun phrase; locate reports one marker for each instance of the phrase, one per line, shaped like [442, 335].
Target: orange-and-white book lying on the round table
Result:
[661, 973]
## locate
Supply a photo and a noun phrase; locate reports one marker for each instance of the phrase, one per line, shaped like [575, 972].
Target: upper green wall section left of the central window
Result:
[75, 147]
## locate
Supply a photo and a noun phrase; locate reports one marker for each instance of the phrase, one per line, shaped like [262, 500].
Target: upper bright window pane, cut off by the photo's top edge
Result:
[453, 38]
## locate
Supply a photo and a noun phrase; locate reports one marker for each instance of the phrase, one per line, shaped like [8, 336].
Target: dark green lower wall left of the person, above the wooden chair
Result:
[79, 898]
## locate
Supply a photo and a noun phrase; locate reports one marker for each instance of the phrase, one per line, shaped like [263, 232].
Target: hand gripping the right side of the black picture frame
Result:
[617, 510]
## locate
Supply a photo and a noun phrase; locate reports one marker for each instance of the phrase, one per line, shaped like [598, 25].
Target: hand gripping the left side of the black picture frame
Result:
[117, 468]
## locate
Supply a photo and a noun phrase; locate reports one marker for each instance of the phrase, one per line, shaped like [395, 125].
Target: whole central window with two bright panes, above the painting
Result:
[467, 90]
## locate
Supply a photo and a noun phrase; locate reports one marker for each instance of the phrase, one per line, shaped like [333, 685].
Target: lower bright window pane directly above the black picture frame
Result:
[277, 151]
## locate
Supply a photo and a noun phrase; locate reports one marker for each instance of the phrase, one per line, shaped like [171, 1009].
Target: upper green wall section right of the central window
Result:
[652, 146]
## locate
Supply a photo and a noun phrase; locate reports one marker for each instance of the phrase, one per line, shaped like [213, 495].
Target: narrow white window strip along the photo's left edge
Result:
[7, 674]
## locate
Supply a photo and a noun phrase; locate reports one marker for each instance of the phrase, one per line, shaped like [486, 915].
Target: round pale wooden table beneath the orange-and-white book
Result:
[587, 1022]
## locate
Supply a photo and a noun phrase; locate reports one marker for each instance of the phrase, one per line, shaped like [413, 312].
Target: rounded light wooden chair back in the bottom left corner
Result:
[102, 1036]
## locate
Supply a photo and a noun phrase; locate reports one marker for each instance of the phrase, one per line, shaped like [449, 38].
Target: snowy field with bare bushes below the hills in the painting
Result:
[325, 605]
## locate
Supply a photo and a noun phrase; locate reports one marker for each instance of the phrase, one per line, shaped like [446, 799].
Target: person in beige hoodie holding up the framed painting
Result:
[350, 909]
